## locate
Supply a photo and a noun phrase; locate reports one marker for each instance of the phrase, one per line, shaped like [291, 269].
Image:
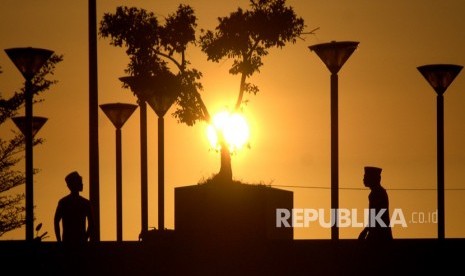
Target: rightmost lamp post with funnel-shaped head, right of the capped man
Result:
[440, 76]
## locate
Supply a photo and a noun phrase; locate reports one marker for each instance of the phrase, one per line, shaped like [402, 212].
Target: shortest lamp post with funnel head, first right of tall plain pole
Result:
[118, 113]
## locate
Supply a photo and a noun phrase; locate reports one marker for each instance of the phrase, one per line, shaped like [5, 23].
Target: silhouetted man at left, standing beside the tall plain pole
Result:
[75, 214]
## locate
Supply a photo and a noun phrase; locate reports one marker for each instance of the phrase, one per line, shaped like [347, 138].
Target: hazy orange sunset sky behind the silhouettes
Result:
[387, 111]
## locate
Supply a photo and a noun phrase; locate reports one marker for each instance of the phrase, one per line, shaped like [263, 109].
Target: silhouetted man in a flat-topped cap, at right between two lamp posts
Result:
[378, 228]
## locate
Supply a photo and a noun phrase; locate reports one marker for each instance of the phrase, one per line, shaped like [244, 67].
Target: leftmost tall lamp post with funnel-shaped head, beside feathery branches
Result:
[29, 61]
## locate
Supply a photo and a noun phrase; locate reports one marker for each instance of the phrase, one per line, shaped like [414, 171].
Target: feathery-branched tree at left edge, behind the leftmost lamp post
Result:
[11, 206]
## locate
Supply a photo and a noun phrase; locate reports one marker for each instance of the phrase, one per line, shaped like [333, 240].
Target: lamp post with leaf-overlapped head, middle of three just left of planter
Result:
[134, 84]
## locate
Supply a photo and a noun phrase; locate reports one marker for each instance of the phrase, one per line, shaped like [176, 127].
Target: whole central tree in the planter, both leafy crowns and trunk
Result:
[244, 36]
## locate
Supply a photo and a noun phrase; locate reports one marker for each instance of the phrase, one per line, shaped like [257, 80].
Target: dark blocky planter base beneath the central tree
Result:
[230, 211]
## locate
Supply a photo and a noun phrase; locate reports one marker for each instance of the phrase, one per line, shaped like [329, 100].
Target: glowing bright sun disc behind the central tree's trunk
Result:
[232, 126]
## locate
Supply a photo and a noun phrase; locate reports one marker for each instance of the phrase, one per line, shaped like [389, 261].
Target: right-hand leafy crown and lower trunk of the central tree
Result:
[246, 37]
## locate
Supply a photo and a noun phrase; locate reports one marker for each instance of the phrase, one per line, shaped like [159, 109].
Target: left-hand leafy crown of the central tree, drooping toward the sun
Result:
[152, 48]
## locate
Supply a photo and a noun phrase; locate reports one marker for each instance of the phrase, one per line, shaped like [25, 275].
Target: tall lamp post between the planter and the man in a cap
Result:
[334, 55]
